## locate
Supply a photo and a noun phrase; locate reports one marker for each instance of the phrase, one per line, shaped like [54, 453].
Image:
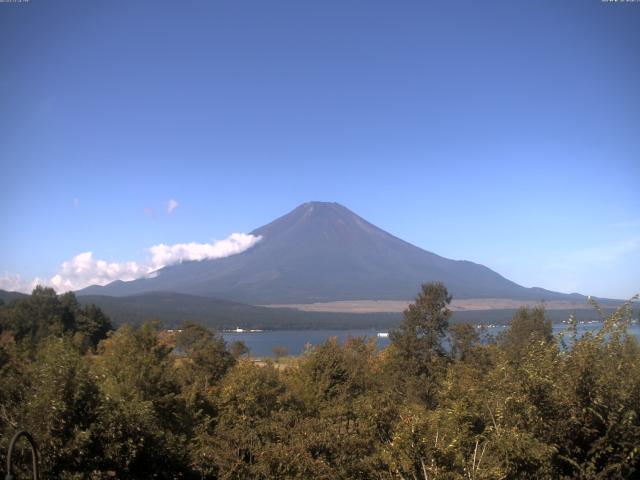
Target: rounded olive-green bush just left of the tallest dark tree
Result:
[346, 411]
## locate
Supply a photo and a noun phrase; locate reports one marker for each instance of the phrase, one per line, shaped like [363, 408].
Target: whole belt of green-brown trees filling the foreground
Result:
[146, 403]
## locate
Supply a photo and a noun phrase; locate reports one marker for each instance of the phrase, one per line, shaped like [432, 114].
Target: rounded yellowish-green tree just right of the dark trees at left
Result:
[143, 422]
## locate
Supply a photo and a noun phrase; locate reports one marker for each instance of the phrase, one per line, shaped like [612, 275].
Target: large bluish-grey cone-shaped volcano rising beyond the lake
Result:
[322, 252]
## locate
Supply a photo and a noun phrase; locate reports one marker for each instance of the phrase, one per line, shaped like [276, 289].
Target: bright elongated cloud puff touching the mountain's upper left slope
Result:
[163, 255]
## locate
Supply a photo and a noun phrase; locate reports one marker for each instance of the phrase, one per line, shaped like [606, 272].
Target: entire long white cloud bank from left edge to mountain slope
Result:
[84, 270]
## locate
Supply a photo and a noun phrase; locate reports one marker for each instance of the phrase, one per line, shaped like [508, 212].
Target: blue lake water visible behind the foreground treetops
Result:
[261, 344]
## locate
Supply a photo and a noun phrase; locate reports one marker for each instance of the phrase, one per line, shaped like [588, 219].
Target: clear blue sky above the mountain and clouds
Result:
[506, 133]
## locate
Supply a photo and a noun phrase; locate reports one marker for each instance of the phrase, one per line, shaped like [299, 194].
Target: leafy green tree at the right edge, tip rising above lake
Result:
[598, 435]
